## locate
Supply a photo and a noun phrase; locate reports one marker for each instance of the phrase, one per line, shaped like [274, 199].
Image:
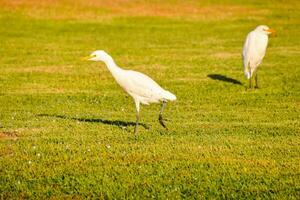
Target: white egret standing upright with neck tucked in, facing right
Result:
[254, 51]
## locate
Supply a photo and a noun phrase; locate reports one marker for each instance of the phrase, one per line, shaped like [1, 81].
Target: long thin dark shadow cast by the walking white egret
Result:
[118, 123]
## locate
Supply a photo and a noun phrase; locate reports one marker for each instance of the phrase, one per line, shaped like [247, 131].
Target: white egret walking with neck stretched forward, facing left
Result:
[139, 86]
